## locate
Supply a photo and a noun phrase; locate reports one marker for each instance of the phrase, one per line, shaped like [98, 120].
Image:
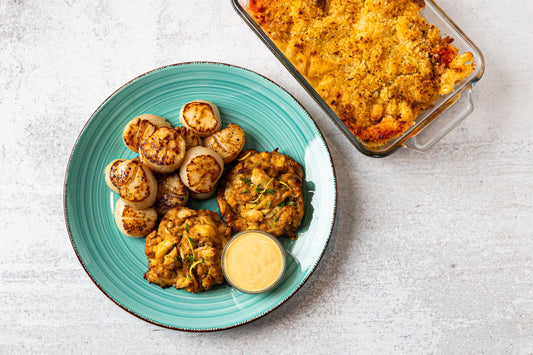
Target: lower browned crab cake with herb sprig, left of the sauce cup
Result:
[185, 250]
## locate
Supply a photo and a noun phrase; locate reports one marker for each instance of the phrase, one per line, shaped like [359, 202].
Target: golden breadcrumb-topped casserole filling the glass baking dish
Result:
[377, 64]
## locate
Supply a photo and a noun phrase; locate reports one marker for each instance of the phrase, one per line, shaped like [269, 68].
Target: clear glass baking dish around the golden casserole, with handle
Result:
[432, 124]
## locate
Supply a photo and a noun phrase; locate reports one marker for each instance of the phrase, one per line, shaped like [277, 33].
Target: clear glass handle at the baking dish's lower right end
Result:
[445, 122]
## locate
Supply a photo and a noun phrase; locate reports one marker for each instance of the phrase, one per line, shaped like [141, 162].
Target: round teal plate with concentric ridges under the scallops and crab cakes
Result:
[270, 117]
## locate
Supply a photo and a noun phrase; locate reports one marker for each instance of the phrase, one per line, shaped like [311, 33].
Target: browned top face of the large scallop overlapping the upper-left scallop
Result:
[163, 147]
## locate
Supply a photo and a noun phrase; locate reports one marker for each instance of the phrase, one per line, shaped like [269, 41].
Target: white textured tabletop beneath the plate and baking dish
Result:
[433, 252]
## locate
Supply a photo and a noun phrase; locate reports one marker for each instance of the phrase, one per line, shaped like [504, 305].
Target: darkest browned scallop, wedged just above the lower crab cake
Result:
[171, 192]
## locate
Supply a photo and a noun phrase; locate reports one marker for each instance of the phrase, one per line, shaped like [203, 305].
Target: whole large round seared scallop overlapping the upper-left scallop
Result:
[163, 151]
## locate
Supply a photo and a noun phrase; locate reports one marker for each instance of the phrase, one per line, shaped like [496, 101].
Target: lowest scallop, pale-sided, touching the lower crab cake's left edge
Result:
[134, 222]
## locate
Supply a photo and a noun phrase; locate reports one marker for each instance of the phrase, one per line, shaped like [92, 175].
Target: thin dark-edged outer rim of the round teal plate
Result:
[200, 330]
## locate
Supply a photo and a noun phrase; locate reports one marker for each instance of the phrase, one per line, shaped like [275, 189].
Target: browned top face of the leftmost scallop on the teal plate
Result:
[131, 179]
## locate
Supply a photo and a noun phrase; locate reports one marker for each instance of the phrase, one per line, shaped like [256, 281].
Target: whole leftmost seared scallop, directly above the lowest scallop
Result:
[136, 184]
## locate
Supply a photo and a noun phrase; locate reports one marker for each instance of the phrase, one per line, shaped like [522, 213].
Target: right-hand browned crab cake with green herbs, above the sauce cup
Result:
[263, 191]
